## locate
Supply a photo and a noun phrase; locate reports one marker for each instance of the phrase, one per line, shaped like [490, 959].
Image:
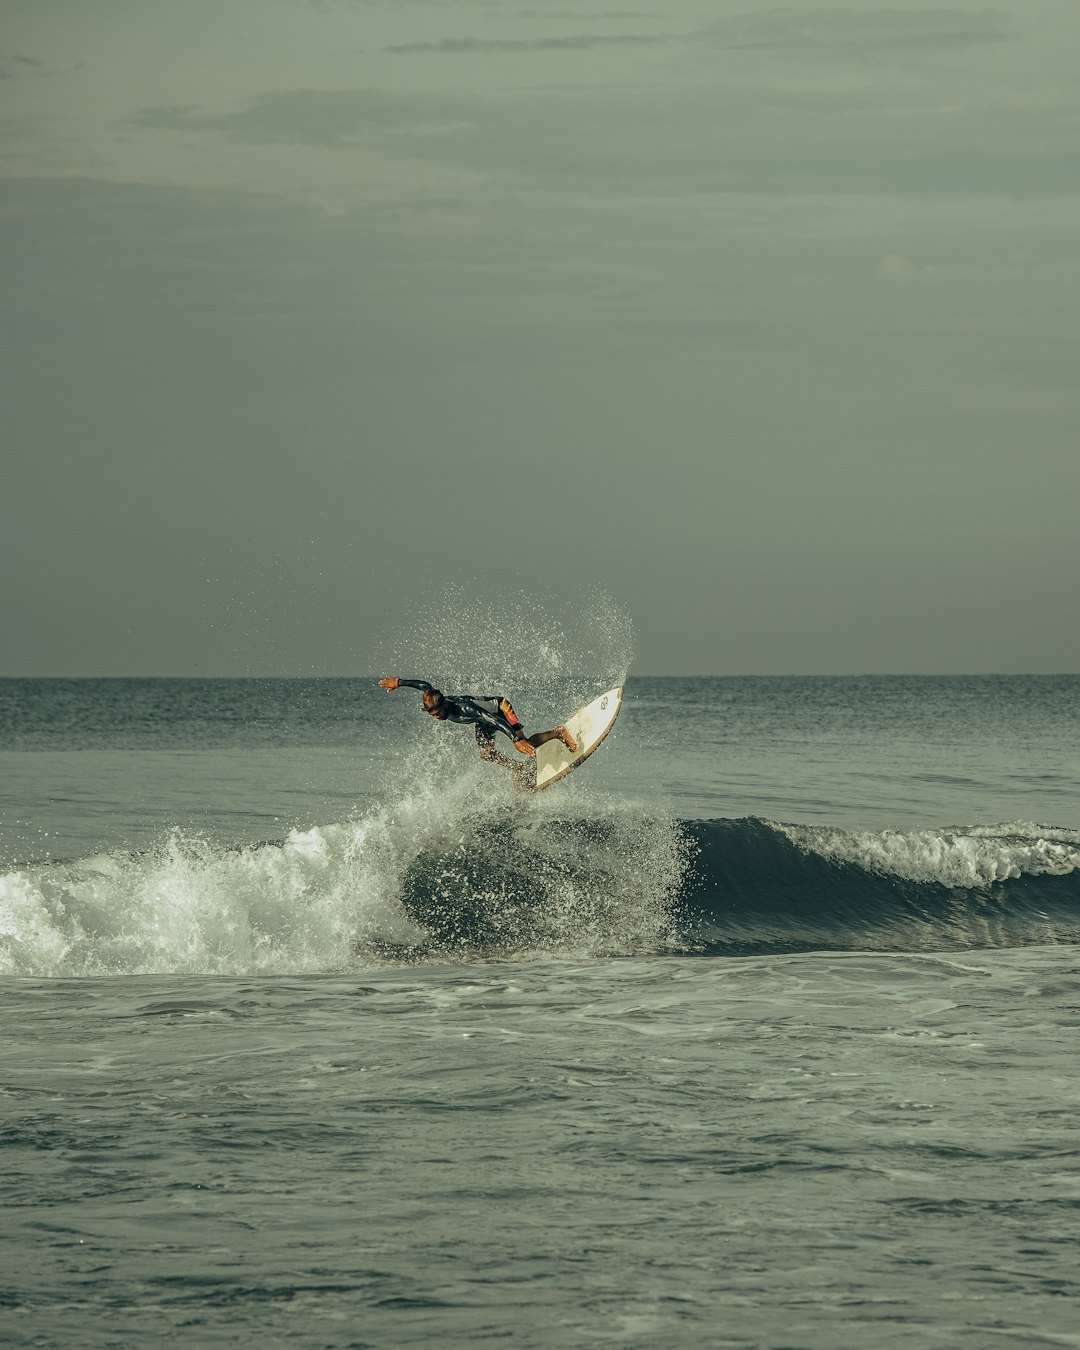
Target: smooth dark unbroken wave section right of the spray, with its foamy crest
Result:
[763, 888]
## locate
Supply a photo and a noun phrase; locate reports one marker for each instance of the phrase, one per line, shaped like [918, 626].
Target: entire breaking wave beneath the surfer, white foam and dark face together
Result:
[461, 874]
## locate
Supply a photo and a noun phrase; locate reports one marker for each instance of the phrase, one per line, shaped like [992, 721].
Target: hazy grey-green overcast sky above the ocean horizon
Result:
[765, 319]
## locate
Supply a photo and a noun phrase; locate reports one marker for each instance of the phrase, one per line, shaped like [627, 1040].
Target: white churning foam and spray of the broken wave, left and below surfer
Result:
[578, 875]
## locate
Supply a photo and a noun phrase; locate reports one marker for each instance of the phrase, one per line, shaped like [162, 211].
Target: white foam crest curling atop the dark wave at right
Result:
[958, 858]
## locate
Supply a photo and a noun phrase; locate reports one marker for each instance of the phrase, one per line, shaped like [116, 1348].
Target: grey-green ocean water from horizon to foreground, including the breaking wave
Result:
[759, 1031]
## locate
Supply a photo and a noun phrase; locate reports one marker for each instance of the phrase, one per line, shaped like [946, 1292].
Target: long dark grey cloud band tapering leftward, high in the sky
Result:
[661, 141]
